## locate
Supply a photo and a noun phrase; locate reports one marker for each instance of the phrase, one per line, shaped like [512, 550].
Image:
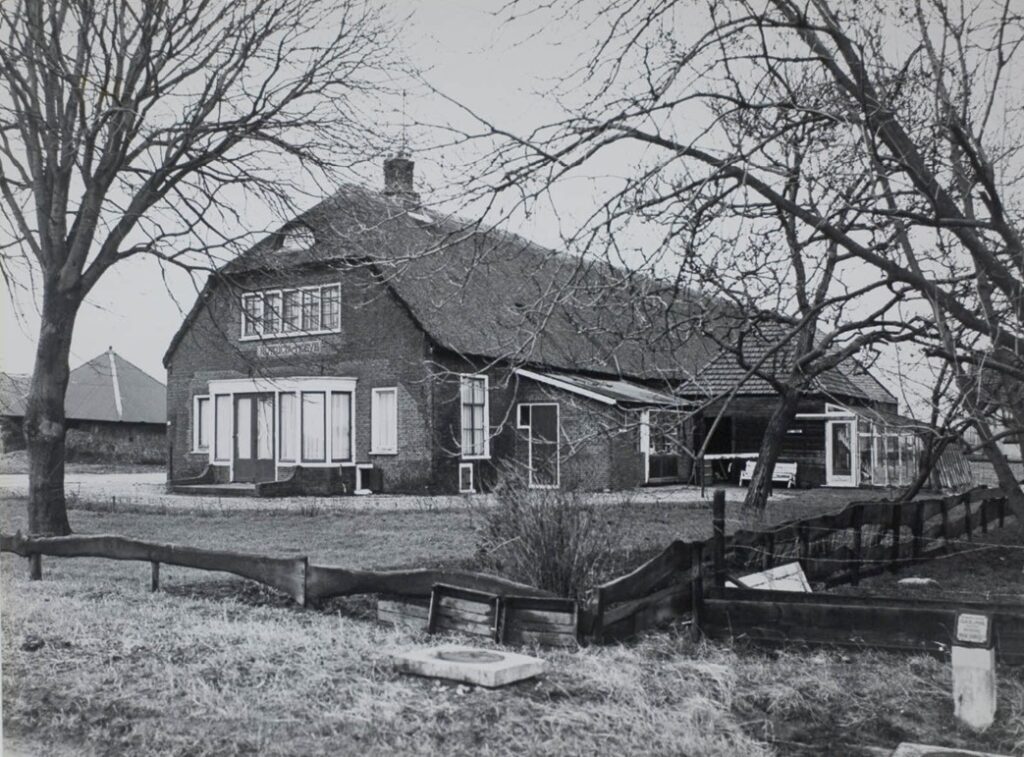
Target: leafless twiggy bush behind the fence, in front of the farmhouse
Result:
[546, 538]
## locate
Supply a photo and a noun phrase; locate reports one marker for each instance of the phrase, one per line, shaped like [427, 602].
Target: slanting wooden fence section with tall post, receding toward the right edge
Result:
[862, 540]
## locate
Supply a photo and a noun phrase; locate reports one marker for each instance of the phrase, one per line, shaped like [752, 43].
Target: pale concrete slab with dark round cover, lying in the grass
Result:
[491, 668]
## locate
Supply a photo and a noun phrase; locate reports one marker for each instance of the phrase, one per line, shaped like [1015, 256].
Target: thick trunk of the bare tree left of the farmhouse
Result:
[45, 415]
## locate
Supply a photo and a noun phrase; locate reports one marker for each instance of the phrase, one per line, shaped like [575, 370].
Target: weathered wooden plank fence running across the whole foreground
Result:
[841, 549]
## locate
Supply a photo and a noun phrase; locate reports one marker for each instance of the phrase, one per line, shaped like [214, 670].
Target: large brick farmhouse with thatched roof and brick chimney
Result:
[374, 345]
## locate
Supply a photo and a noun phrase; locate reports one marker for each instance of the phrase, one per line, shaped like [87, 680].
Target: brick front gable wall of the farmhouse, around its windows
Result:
[379, 345]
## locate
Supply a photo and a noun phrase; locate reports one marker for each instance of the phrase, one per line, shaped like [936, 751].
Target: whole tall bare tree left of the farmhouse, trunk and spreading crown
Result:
[134, 130]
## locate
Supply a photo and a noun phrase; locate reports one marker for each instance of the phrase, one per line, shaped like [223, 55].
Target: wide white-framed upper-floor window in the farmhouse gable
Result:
[287, 312]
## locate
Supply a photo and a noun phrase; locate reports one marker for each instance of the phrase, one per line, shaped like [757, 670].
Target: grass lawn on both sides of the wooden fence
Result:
[96, 664]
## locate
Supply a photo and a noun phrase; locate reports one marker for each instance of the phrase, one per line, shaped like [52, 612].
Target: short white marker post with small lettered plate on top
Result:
[974, 670]
